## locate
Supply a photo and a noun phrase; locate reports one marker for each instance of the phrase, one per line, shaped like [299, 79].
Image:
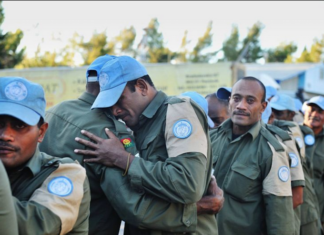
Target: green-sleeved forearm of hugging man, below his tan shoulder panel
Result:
[180, 179]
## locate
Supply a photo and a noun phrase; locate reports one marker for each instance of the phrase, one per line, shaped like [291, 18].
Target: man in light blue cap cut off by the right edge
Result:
[314, 119]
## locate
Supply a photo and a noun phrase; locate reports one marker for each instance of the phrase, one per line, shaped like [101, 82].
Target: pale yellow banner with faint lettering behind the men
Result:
[68, 83]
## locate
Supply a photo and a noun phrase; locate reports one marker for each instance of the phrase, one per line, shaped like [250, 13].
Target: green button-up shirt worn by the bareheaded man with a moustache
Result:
[253, 171]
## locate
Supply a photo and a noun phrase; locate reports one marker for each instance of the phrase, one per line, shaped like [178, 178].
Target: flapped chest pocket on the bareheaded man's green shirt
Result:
[242, 182]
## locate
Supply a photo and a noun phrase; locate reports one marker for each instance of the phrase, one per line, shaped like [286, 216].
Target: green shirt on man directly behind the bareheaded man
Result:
[309, 211]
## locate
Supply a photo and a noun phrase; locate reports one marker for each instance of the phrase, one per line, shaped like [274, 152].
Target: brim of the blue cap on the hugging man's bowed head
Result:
[108, 98]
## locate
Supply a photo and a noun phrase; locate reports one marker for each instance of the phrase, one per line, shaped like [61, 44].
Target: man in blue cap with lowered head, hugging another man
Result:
[174, 147]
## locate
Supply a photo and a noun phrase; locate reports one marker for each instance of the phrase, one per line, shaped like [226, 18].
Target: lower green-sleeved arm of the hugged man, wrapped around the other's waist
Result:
[146, 211]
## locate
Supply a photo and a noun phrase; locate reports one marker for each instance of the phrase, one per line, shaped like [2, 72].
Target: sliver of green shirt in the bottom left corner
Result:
[8, 218]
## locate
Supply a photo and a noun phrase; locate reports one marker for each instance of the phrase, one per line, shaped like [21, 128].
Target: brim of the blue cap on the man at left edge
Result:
[20, 112]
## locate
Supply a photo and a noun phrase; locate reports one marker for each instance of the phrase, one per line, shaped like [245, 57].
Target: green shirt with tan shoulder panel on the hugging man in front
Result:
[173, 140]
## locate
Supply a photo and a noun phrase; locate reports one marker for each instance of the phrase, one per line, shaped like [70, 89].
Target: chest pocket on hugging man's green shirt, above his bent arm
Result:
[153, 148]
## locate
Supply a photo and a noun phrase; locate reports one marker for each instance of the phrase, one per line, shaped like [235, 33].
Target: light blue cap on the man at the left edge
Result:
[22, 99]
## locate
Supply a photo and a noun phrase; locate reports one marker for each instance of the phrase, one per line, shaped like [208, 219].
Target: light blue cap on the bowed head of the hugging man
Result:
[113, 78]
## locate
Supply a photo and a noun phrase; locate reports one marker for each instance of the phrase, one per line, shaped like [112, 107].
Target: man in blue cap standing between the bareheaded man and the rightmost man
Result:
[283, 110]
